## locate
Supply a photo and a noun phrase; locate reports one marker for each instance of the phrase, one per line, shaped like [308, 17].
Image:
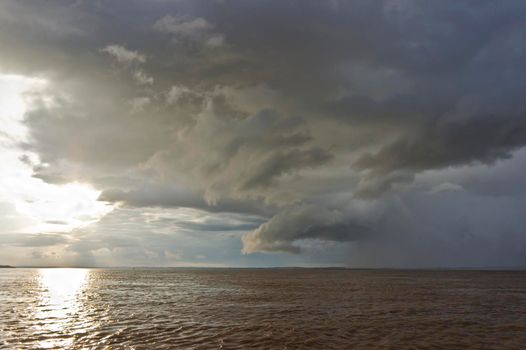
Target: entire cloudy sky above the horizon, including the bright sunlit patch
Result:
[263, 133]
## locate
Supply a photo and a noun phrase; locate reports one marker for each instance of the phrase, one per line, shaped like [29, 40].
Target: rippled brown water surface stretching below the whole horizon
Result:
[261, 309]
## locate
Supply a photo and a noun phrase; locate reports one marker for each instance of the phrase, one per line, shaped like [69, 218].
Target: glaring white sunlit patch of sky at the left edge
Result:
[35, 206]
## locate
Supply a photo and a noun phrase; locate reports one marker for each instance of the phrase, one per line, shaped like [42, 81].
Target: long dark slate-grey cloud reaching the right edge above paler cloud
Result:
[484, 139]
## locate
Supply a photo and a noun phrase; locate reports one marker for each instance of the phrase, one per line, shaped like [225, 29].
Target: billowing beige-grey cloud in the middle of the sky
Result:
[273, 145]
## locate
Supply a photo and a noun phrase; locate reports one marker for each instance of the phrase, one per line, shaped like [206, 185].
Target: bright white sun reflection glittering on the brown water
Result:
[59, 305]
